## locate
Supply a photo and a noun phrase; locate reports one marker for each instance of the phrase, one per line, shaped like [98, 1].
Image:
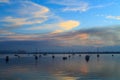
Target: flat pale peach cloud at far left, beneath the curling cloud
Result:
[17, 22]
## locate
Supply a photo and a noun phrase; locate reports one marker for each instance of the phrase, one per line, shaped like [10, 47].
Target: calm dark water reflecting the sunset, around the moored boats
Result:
[106, 67]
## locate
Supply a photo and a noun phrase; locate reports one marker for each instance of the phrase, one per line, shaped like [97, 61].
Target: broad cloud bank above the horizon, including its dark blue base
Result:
[107, 38]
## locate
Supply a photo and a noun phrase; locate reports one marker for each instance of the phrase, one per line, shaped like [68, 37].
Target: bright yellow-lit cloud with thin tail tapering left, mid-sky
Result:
[58, 27]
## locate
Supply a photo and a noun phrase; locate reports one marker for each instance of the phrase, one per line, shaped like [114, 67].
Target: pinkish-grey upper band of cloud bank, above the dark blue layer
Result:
[104, 36]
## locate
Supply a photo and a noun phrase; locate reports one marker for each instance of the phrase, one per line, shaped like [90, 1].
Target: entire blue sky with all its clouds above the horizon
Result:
[60, 25]
